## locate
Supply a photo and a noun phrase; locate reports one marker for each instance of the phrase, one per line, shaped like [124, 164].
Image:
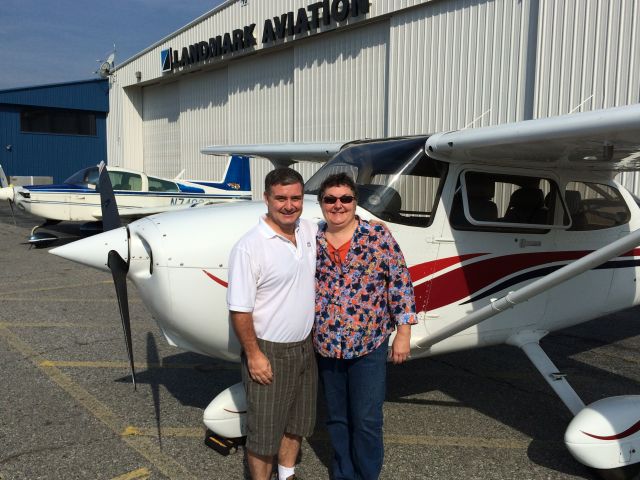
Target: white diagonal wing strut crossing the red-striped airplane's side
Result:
[592, 260]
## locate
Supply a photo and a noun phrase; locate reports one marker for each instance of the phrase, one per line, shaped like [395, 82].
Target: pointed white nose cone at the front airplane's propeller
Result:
[94, 251]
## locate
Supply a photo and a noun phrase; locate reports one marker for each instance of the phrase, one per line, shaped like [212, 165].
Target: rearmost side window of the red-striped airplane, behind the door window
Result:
[595, 206]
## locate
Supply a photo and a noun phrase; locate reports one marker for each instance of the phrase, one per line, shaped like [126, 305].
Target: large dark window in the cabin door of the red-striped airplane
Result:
[505, 203]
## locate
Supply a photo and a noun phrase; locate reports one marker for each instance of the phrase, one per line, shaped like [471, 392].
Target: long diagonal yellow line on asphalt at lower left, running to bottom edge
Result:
[145, 446]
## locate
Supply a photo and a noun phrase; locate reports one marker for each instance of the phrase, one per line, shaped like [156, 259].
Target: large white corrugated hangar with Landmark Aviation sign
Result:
[258, 71]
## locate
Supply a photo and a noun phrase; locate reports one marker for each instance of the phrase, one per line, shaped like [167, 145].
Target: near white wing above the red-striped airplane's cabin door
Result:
[605, 140]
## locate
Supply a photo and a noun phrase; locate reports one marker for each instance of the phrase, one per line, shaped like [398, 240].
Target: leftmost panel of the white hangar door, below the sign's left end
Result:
[161, 129]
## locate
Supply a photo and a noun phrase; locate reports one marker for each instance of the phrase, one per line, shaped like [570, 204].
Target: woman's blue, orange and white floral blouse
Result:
[359, 303]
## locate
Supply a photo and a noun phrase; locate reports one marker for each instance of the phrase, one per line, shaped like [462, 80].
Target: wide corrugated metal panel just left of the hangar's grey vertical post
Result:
[462, 63]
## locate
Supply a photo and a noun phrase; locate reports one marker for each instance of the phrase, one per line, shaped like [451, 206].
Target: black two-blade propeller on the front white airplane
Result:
[118, 266]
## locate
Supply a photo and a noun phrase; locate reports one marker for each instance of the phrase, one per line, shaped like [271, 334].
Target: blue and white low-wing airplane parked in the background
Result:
[77, 199]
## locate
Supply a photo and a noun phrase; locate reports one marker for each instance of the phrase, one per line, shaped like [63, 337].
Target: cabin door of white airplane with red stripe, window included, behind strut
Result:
[497, 237]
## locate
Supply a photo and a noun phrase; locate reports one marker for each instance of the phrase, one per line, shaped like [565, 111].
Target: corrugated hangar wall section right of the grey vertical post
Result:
[588, 55]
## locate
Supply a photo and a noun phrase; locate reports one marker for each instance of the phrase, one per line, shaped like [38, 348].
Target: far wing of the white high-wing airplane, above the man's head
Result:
[280, 154]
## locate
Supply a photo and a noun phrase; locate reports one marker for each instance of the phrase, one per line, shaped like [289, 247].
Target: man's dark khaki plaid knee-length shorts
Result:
[288, 404]
